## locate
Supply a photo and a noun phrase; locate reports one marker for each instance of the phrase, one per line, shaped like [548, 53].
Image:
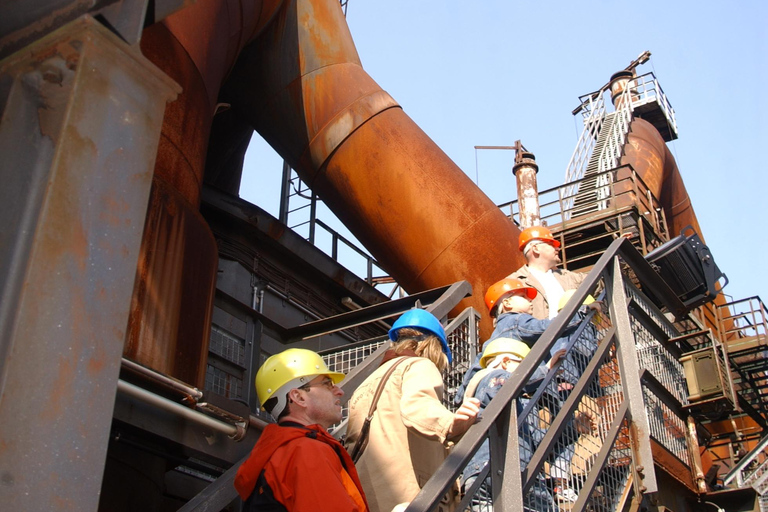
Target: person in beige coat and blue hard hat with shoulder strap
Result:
[410, 429]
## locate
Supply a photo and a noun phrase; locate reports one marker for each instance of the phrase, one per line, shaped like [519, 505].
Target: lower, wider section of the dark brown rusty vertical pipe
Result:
[175, 281]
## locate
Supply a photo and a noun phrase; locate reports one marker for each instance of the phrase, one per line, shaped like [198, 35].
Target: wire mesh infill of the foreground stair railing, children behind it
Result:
[571, 459]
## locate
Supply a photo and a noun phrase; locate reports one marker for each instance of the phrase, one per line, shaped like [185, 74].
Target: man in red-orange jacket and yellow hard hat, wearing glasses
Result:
[296, 466]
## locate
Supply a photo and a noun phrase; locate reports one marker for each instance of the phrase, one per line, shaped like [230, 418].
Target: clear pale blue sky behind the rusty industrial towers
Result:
[489, 73]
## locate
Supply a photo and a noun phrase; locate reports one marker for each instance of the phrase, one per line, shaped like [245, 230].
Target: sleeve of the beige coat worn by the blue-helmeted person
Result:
[420, 405]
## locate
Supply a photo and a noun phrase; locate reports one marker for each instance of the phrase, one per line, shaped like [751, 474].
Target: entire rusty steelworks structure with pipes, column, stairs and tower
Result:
[140, 294]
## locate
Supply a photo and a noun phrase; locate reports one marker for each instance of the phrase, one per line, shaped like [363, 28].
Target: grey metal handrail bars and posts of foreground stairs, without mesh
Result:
[507, 481]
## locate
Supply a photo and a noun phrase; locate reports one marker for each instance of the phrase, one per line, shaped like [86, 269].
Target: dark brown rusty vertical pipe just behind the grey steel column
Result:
[169, 325]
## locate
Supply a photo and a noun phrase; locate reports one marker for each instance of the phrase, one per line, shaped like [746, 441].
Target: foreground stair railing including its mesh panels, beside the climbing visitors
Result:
[606, 459]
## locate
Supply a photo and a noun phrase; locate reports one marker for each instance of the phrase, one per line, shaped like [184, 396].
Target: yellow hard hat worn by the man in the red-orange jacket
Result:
[289, 370]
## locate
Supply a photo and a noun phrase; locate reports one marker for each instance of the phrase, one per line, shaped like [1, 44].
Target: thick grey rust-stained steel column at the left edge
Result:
[78, 136]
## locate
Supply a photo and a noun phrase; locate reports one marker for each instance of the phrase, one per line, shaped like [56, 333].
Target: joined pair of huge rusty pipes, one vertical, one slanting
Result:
[299, 83]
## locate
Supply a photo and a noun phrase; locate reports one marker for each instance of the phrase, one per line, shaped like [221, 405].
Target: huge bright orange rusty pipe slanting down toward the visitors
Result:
[303, 89]
